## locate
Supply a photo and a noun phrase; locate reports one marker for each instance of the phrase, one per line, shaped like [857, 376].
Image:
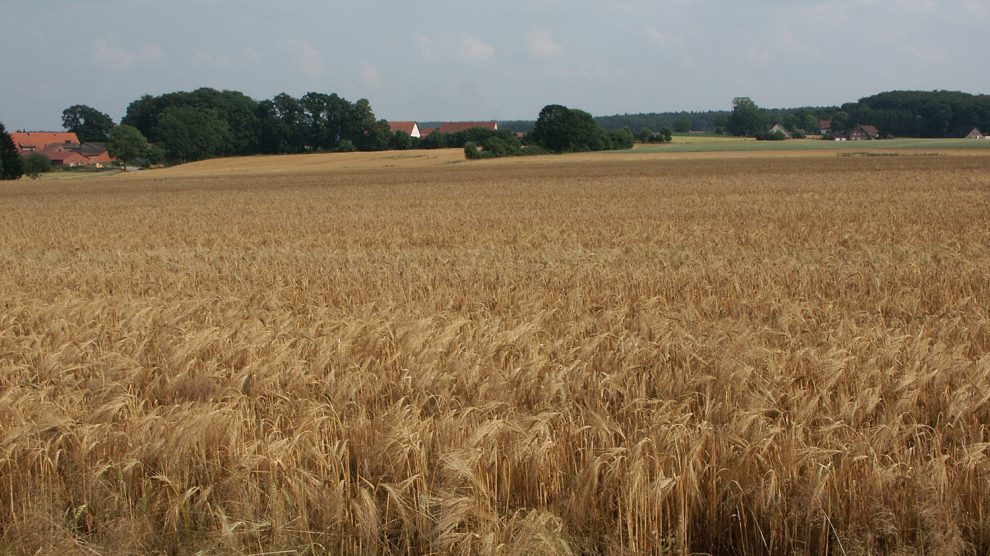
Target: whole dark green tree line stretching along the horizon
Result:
[205, 123]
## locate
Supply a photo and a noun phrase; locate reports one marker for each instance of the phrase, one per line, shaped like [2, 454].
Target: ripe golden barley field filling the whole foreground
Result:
[412, 354]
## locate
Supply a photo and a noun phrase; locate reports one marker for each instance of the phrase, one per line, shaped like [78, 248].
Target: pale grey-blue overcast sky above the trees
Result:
[494, 59]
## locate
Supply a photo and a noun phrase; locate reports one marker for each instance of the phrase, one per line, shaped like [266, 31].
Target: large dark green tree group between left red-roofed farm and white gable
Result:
[207, 123]
